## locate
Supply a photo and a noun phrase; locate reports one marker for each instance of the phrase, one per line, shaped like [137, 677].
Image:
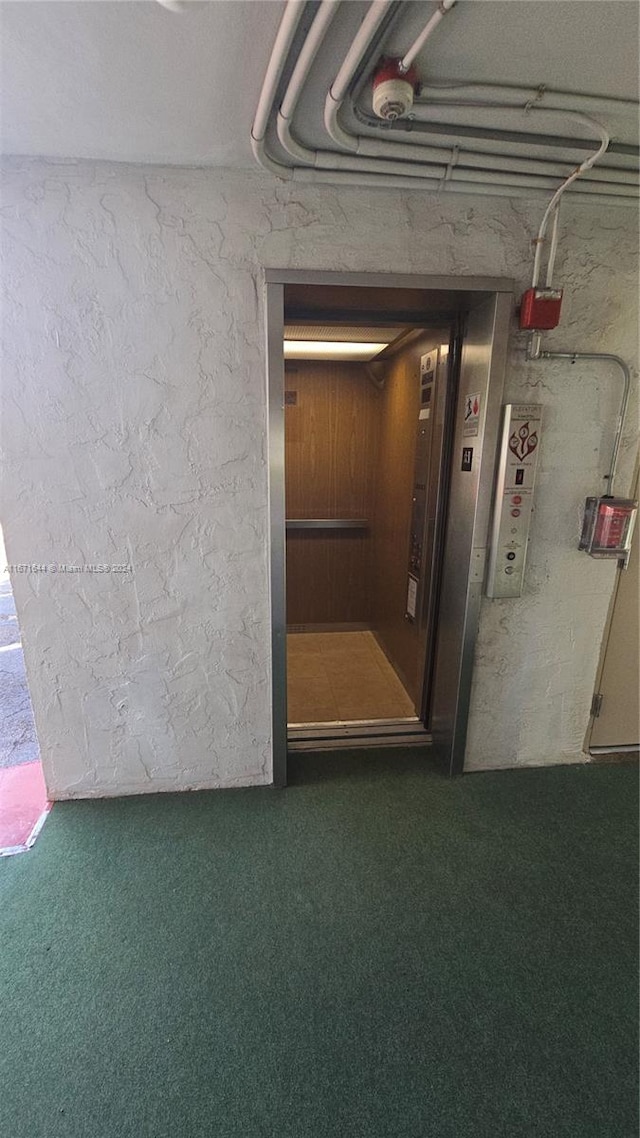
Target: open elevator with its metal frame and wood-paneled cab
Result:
[381, 485]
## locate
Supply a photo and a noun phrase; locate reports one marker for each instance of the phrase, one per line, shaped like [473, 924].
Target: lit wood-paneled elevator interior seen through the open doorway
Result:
[367, 416]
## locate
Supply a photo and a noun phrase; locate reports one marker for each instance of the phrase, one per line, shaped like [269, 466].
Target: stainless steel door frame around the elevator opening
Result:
[482, 373]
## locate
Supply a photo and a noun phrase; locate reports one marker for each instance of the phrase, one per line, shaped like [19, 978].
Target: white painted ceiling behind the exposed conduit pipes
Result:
[130, 81]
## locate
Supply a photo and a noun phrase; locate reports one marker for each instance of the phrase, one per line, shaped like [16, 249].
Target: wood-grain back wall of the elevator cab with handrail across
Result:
[332, 423]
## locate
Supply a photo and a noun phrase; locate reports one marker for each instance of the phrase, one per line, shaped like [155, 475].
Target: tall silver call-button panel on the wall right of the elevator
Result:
[513, 506]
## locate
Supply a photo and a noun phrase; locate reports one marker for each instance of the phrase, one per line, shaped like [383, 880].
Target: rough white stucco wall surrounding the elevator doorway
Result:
[135, 433]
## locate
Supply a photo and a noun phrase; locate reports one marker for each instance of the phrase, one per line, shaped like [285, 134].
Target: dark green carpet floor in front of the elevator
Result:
[374, 952]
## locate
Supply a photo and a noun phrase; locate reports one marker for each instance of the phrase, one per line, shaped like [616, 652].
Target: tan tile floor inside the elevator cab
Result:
[342, 677]
